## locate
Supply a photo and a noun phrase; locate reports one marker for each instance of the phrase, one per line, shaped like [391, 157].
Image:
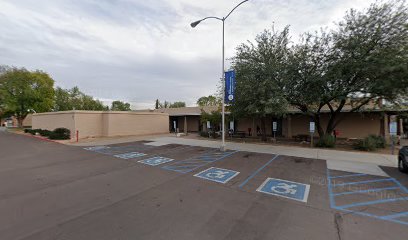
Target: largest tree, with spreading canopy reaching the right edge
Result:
[363, 60]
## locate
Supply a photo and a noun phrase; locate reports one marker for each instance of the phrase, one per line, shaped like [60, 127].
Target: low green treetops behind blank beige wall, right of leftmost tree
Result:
[74, 99]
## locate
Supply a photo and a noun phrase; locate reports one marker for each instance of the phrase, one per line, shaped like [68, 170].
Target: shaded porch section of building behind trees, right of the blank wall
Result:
[353, 125]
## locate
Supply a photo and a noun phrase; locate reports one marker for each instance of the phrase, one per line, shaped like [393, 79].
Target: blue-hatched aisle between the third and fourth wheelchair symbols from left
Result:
[193, 163]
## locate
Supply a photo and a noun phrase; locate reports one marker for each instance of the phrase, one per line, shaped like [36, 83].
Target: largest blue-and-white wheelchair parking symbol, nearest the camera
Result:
[286, 189]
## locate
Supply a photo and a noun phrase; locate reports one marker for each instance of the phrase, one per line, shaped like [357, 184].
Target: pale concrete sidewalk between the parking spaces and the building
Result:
[330, 155]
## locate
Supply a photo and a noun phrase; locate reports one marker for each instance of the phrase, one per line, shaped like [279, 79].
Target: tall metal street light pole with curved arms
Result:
[193, 25]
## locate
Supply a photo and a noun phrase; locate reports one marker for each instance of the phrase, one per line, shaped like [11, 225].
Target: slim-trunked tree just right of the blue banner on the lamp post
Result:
[260, 69]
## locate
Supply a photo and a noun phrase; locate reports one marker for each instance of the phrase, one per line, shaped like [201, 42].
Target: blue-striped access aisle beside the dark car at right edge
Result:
[355, 187]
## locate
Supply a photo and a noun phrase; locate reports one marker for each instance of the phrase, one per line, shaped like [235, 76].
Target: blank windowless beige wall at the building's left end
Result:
[104, 124]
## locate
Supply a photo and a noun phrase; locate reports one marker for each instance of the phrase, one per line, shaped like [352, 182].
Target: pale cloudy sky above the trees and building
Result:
[140, 50]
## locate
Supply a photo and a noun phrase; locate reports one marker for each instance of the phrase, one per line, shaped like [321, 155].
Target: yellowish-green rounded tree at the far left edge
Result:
[23, 91]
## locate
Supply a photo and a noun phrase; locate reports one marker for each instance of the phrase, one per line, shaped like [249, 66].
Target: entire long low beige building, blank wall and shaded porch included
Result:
[188, 119]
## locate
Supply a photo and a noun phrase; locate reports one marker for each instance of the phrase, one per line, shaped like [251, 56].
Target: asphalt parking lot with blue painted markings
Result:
[142, 190]
